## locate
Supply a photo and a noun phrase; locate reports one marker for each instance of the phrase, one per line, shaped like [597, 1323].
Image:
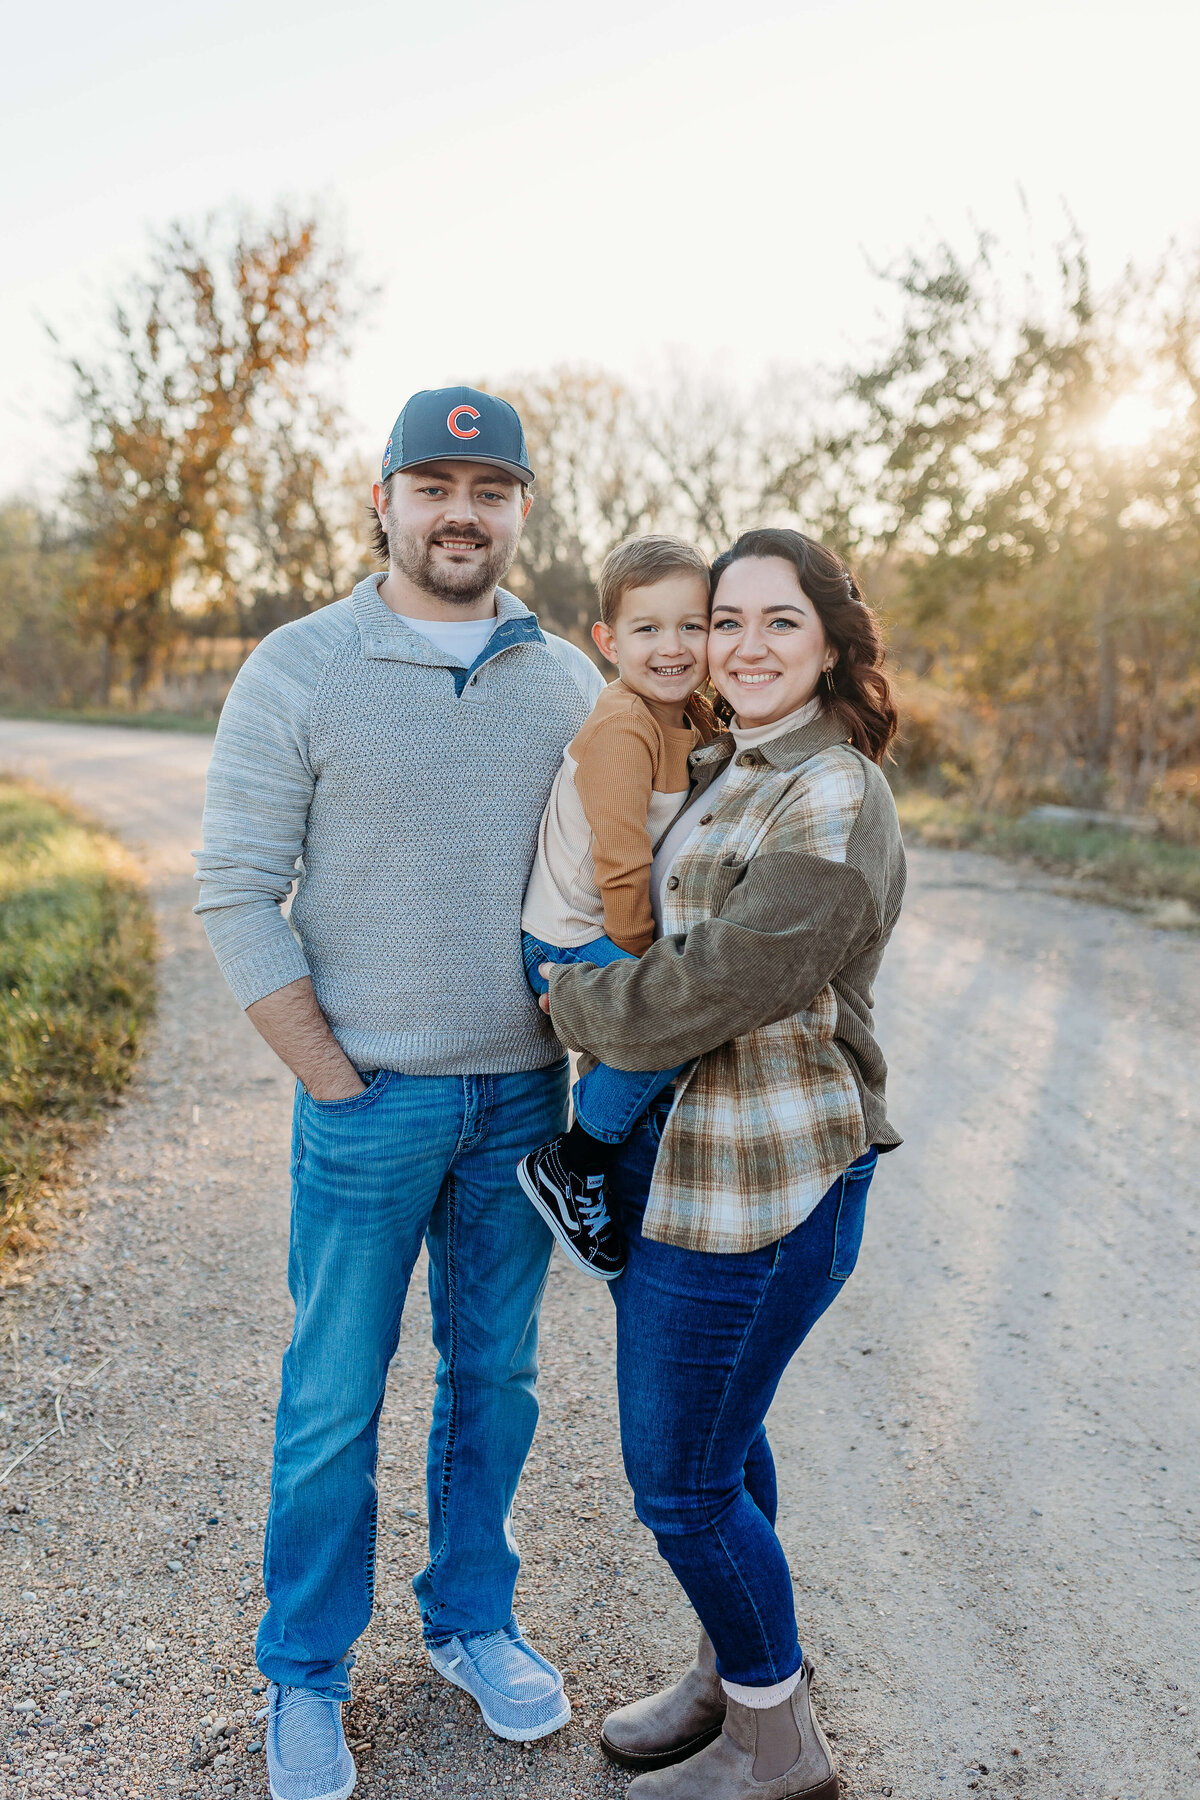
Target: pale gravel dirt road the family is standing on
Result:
[989, 1448]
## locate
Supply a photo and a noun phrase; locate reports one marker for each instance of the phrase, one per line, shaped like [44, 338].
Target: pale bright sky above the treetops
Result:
[541, 181]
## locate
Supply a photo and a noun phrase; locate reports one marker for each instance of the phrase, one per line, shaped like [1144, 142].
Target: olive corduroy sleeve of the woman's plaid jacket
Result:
[787, 926]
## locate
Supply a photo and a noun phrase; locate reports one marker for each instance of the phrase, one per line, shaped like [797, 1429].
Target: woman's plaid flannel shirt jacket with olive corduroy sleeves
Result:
[776, 917]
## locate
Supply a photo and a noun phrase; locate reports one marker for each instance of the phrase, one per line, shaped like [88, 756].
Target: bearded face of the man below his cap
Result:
[452, 528]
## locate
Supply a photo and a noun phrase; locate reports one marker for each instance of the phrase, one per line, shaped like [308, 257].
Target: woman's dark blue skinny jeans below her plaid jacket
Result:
[703, 1344]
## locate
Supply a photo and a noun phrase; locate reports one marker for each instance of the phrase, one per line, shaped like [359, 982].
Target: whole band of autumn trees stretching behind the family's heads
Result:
[1016, 469]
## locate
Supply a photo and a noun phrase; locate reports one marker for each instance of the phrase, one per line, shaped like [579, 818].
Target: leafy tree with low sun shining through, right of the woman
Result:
[1048, 566]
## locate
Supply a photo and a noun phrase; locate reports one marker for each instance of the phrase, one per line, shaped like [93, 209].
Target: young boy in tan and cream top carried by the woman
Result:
[623, 782]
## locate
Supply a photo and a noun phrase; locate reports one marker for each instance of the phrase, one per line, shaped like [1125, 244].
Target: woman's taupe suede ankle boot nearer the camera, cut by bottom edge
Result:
[764, 1754]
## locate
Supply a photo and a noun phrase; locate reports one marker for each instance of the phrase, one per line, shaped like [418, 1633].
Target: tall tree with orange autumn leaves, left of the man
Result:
[210, 370]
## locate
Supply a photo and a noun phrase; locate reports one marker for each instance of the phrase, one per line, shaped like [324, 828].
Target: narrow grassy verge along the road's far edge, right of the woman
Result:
[1111, 865]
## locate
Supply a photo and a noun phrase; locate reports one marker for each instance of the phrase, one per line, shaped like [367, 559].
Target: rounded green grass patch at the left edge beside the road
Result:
[76, 993]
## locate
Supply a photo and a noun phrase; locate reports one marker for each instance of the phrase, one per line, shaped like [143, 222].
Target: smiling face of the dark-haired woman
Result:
[767, 645]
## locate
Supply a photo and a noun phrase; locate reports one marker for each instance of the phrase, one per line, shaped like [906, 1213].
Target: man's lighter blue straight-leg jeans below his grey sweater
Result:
[407, 1160]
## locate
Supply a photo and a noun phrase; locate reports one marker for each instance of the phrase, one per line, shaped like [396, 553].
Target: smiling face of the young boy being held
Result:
[661, 638]
